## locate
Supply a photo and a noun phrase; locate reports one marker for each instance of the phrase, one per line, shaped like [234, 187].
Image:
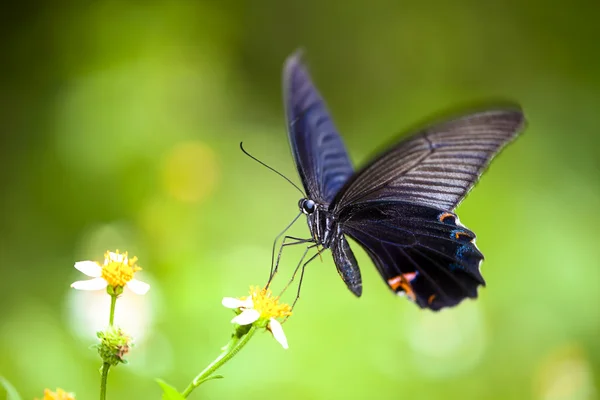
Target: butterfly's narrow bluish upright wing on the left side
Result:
[320, 155]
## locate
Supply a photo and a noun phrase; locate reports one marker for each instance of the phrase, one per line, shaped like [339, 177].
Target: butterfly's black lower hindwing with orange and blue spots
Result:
[419, 251]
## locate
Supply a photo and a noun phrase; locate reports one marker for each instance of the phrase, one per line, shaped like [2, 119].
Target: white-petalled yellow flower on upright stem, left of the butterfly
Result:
[116, 271]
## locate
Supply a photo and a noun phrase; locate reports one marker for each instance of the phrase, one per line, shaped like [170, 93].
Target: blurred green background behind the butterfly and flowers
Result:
[119, 128]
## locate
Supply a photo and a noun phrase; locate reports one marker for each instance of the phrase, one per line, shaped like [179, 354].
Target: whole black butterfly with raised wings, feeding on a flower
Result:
[399, 207]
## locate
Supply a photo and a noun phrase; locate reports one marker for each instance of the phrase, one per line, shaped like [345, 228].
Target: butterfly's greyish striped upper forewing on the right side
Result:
[438, 166]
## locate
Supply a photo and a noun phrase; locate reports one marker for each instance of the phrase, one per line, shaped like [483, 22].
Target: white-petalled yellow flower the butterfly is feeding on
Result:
[262, 309]
